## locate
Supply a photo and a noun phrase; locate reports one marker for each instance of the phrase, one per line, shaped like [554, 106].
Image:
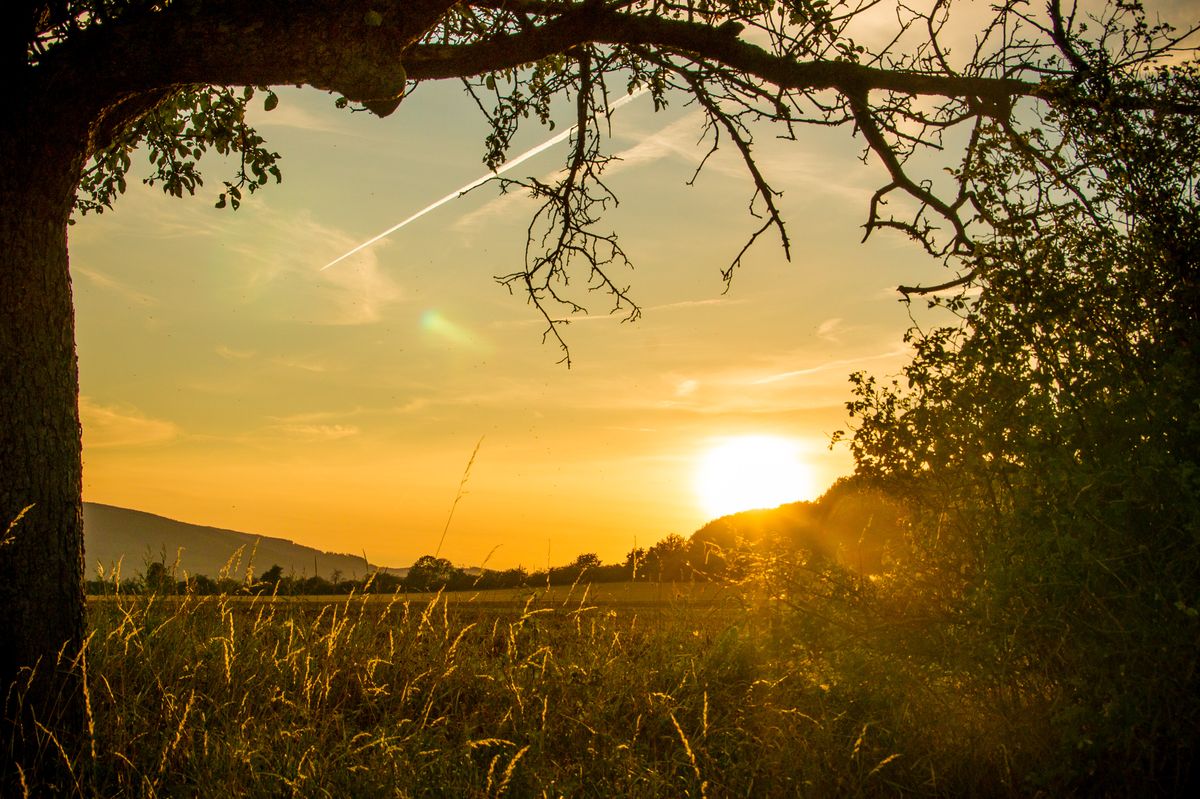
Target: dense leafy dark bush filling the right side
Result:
[1047, 447]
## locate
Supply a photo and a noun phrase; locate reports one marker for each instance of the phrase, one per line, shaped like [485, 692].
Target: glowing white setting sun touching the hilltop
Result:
[752, 472]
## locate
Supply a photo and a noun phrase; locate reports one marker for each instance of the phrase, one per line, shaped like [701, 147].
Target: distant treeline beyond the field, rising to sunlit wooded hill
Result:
[848, 525]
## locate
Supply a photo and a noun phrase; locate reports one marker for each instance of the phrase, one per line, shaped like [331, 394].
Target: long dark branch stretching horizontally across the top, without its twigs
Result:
[369, 50]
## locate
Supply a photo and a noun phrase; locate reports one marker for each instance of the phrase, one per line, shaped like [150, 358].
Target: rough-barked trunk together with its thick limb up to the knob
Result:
[82, 94]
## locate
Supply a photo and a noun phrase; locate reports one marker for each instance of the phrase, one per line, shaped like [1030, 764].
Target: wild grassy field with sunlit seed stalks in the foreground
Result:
[607, 692]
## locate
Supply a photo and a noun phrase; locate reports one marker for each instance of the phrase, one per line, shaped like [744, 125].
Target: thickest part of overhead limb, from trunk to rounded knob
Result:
[355, 47]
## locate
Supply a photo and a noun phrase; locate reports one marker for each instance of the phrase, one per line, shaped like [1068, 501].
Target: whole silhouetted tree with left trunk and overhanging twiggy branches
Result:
[89, 82]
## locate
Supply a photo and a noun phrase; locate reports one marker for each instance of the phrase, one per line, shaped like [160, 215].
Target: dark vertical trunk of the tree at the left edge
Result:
[41, 522]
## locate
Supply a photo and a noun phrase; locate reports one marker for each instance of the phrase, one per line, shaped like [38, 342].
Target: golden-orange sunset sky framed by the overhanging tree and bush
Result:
[227, 381]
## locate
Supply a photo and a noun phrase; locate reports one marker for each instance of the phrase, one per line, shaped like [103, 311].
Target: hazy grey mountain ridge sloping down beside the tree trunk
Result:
[133, 539]
